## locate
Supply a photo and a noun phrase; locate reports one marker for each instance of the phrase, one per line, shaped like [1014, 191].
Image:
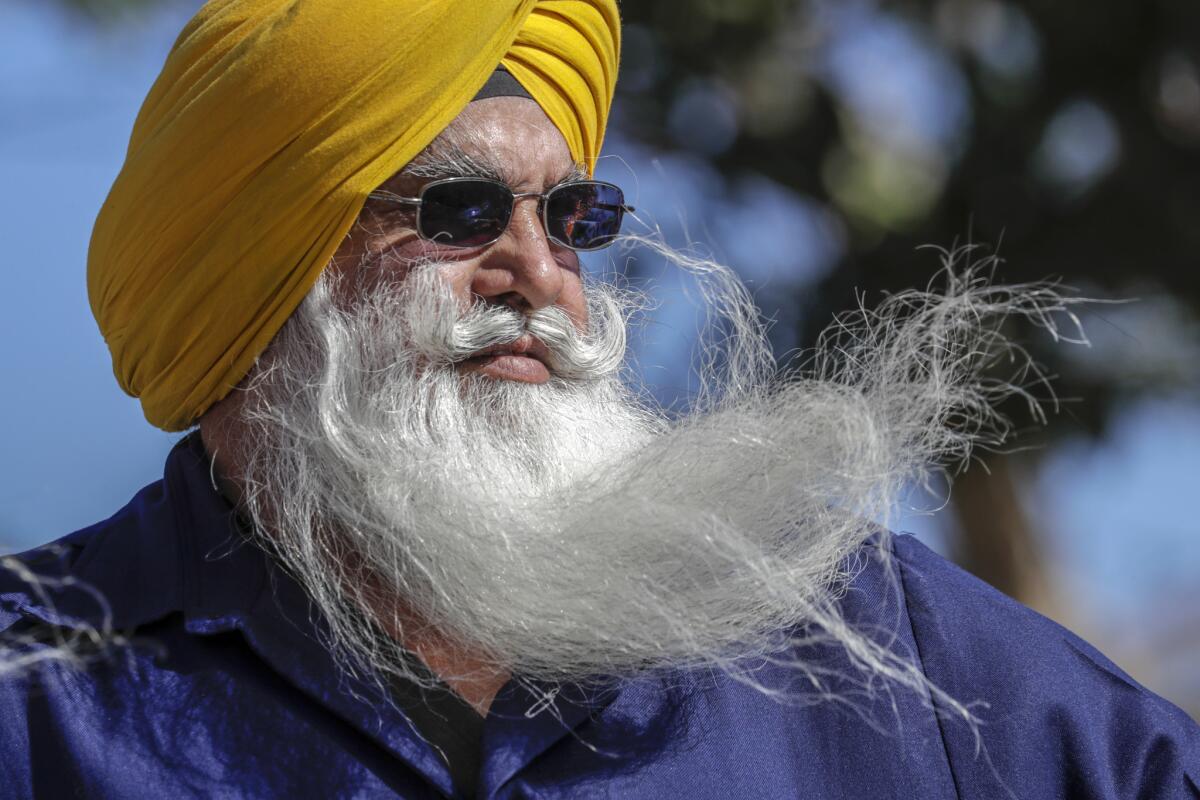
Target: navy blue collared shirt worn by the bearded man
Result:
[225, 691]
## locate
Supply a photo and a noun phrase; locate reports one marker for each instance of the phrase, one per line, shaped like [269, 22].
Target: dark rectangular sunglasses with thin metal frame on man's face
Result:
[476, 212]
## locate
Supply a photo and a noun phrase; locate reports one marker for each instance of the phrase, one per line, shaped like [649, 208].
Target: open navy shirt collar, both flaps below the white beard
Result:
[227, 582]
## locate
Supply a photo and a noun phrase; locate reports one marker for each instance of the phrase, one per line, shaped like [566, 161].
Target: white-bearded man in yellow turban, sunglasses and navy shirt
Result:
[428, 543]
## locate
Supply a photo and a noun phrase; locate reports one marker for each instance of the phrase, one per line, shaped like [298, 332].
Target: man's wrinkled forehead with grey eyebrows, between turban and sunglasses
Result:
[508, 140]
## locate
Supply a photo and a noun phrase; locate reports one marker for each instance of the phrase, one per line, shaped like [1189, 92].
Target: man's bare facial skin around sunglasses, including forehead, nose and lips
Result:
[509, 140]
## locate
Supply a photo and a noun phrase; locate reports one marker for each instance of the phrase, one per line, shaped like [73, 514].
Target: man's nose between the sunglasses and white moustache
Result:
[521, 264]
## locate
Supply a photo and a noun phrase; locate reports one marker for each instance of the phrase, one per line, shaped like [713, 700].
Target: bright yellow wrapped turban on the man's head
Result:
[260, 142]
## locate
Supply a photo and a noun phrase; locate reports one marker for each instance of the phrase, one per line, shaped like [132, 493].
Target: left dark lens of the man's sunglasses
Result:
[465, 214]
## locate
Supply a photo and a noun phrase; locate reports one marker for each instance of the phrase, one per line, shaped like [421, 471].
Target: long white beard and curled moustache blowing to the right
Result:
[569, 532]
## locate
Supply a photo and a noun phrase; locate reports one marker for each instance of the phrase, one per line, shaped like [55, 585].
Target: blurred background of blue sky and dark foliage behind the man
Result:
[815, 147]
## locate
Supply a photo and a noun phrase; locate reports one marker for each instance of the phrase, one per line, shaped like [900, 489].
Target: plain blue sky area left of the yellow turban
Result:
[76, 446]
